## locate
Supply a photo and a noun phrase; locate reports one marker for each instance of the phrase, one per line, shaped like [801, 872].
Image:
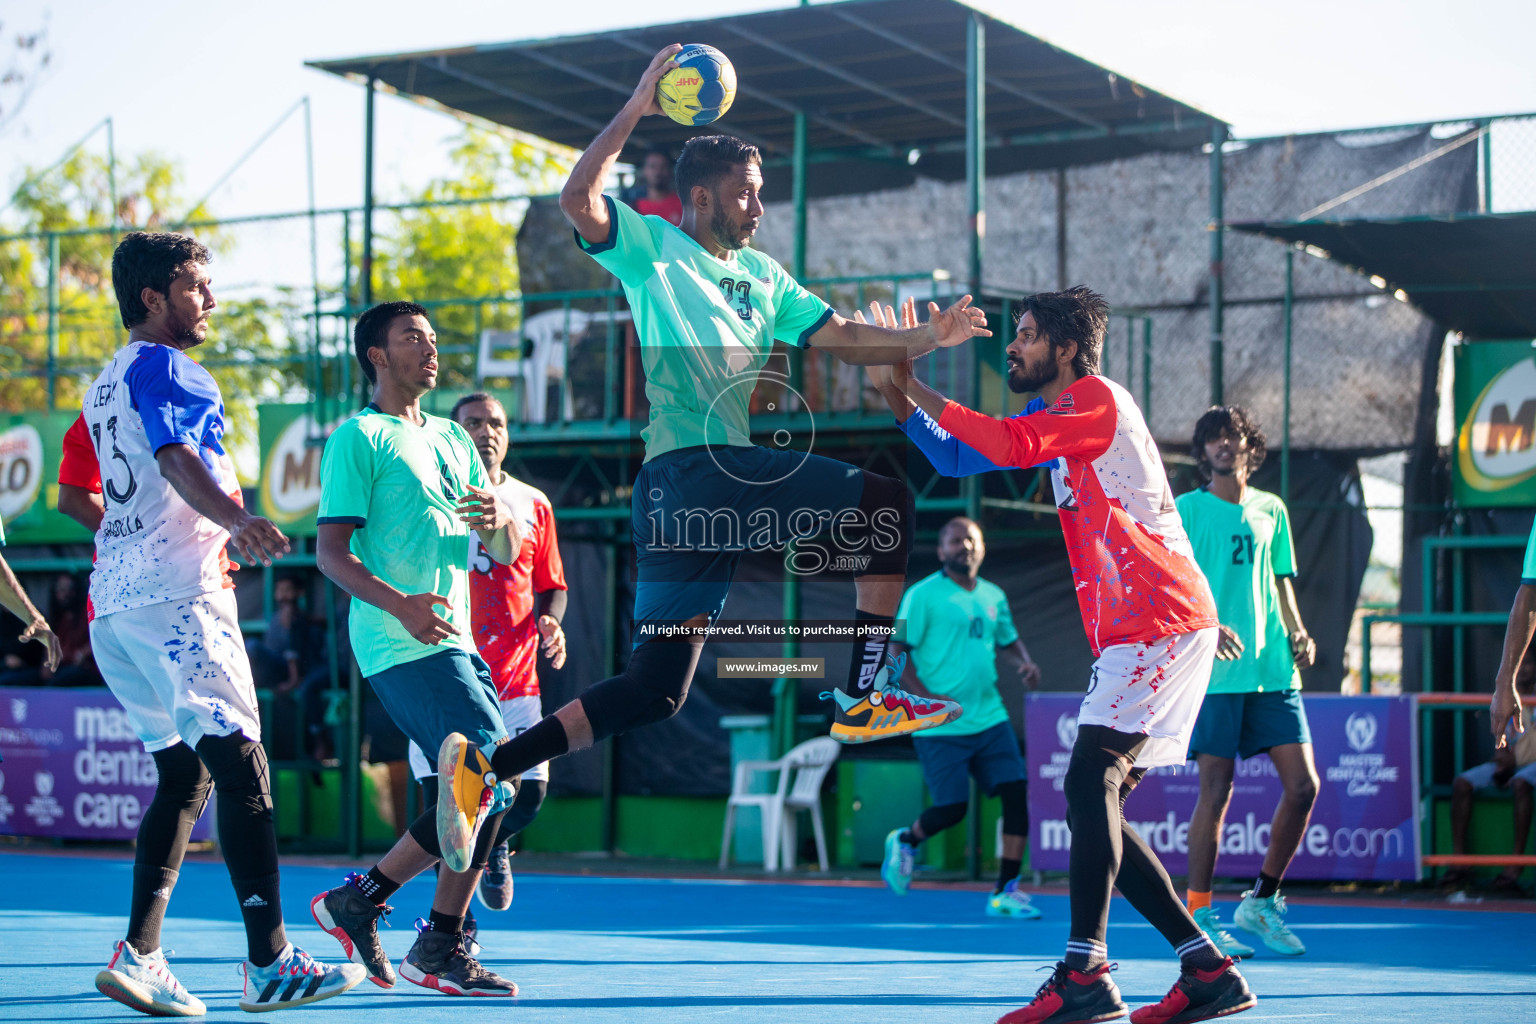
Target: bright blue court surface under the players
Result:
[647, 951]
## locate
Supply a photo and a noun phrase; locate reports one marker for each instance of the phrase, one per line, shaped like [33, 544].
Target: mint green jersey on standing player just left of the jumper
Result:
[399, 484]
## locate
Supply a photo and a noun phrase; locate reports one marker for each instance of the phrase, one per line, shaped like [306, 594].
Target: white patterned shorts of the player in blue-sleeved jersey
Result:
[180, 670]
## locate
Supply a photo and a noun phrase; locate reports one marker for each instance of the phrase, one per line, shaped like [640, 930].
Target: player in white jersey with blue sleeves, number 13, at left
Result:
[167, 633]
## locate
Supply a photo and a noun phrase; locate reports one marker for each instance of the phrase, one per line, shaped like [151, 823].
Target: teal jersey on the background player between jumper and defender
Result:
[955, 635]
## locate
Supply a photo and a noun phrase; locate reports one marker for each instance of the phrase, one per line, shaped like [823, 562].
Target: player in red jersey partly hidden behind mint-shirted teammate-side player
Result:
[515, 612]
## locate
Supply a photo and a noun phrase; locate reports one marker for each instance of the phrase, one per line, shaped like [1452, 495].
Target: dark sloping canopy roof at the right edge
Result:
[1472, 274]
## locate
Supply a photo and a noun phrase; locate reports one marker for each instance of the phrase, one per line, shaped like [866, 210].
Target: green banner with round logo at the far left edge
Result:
[30, 451]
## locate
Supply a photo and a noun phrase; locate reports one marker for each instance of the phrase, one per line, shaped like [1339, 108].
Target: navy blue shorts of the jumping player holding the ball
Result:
[697, 512]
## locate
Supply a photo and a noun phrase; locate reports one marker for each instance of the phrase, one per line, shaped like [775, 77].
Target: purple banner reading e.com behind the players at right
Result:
[1365, 825]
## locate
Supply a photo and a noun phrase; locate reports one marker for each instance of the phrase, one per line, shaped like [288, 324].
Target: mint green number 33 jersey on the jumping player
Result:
[706, 326]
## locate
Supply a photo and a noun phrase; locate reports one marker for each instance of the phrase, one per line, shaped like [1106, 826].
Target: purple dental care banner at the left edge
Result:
[73, 767]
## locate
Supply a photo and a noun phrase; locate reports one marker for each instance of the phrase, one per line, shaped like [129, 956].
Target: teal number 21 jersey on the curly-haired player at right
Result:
[1242, 549]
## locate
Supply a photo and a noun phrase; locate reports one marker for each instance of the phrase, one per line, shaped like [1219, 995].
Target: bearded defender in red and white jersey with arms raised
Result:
[1150, 616]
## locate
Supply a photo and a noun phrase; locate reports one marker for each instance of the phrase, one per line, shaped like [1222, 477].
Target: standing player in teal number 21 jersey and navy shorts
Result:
[1242, 540]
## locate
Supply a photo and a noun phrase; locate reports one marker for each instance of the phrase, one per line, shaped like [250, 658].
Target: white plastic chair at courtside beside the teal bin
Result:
[809, 765]
